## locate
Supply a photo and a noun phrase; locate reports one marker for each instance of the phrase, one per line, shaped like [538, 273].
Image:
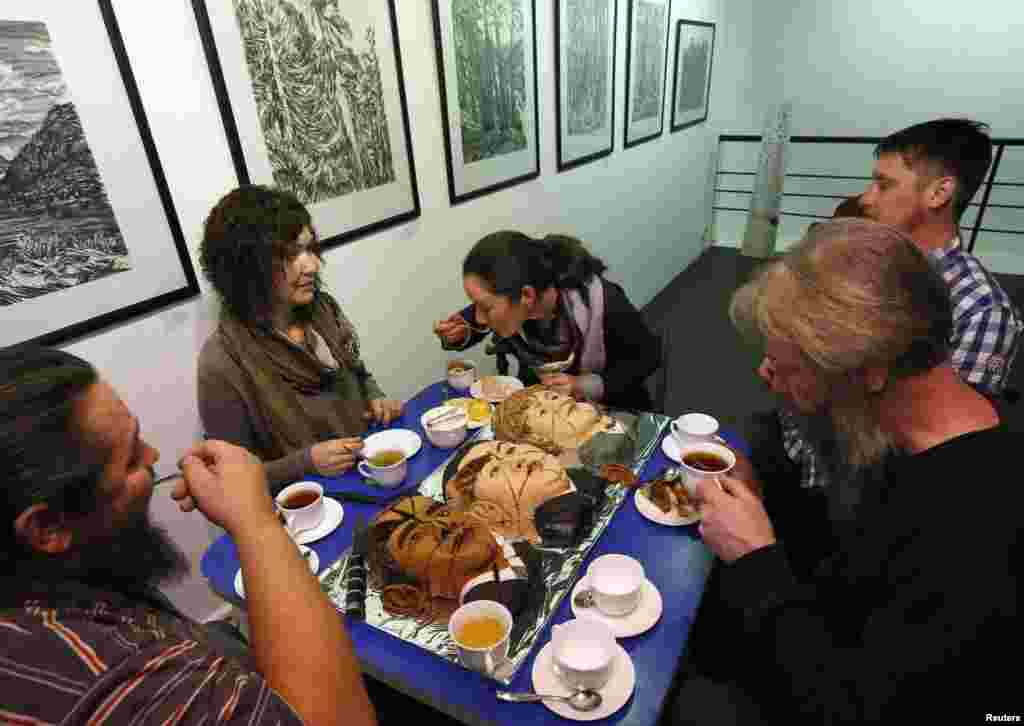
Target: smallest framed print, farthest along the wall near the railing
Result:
[692, 87]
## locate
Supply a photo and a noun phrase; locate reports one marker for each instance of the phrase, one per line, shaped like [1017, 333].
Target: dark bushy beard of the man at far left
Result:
[138, 556]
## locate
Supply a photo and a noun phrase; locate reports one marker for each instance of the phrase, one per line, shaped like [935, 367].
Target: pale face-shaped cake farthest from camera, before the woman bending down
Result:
[549, 420]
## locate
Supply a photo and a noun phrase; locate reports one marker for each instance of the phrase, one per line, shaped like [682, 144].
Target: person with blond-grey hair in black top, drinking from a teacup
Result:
[858, 322]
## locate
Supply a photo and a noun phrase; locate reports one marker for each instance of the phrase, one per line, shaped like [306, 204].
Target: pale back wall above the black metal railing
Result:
[872, 67]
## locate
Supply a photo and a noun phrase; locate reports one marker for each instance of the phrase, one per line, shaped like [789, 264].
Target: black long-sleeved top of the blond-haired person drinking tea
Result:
[917, 612]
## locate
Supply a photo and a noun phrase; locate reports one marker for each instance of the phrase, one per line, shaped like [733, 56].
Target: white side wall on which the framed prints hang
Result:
[643, 210]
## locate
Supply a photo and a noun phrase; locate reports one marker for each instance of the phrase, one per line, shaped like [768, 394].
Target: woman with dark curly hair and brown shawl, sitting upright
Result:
[282, 374]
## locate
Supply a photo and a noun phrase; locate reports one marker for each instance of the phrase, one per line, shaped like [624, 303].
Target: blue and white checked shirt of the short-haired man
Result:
[987, 329]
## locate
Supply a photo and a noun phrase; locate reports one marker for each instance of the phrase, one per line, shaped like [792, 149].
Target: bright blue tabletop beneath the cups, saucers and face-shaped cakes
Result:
[675, 560]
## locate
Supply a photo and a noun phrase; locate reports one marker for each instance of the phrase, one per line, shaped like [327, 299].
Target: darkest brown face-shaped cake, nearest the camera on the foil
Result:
[430, 543]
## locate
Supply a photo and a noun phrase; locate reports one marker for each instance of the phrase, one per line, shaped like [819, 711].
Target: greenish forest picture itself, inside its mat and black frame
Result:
[491, 52]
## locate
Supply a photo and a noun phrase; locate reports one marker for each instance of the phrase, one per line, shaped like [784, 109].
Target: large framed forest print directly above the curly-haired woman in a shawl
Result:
[313, 99]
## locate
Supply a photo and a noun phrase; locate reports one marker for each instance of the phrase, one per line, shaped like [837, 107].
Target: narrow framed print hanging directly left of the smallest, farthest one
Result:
[647, 57]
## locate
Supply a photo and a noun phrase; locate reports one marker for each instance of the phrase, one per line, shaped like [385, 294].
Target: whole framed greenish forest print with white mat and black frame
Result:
[487, 62]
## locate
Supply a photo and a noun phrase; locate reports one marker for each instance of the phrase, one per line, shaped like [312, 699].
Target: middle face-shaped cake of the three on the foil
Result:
[502, 485]
